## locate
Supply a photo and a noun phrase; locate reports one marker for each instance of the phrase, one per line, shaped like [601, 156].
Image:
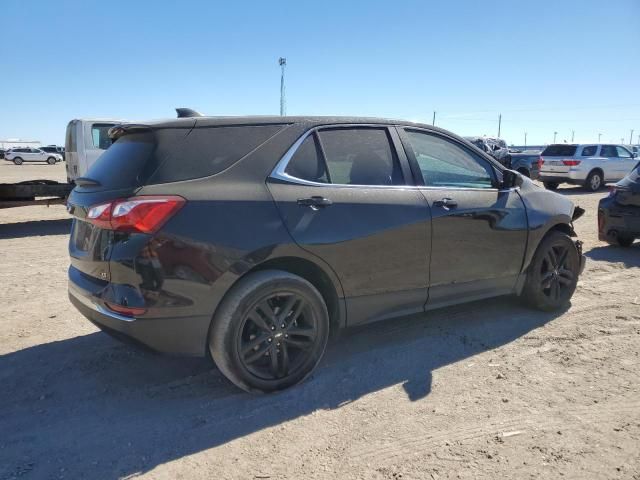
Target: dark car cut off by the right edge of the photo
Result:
[619, 213]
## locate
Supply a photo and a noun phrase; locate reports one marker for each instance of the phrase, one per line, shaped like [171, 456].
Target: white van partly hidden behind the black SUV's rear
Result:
[85, 141]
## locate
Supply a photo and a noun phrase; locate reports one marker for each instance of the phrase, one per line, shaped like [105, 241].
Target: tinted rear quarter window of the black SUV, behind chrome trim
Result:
[210, 150]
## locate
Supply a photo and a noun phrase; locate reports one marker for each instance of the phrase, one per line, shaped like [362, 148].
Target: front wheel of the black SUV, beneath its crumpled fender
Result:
[553, 274]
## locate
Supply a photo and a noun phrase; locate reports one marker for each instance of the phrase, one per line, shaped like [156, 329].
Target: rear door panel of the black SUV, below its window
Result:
[377, 240]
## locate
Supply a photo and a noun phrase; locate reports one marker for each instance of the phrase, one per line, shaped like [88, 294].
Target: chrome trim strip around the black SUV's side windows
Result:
[279, 172]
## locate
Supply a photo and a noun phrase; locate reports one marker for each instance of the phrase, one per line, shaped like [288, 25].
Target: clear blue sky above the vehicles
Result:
[546, 65]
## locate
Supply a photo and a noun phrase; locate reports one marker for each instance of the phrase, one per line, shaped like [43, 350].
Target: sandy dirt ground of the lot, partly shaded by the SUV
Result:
[483, 390]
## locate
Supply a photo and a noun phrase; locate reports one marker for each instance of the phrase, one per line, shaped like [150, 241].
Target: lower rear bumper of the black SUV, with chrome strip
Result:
[178, 336]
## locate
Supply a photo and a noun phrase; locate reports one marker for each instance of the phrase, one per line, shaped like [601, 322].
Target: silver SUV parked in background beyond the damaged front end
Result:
[589, 165]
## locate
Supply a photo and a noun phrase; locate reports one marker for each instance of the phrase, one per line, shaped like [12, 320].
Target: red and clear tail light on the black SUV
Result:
[144, 214]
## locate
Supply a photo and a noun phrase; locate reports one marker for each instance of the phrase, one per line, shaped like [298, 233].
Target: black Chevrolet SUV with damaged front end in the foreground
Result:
[252, 238]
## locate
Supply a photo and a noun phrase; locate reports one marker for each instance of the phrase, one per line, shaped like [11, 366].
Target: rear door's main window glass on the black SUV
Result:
[360, 156]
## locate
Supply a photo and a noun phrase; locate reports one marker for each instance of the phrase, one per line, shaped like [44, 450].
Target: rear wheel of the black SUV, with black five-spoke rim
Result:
[269, 332]
